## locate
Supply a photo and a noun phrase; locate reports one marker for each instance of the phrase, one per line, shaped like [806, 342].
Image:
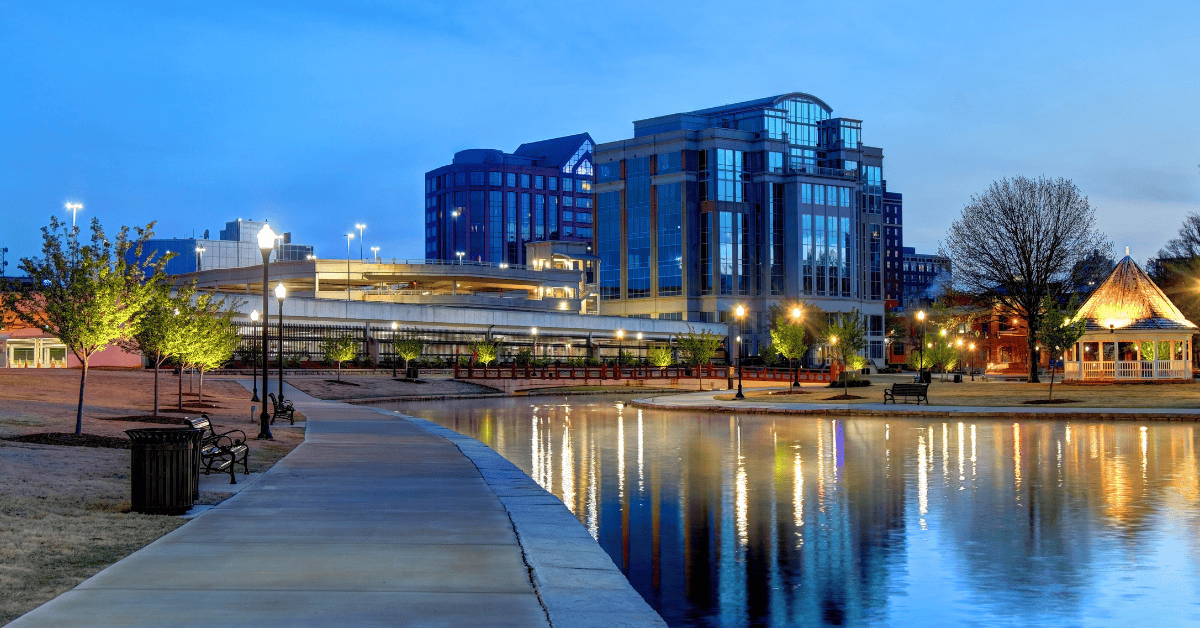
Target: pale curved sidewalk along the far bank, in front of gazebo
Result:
[706, 402]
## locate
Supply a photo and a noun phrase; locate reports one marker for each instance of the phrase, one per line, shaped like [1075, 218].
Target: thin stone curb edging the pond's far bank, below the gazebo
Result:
[1083, 414]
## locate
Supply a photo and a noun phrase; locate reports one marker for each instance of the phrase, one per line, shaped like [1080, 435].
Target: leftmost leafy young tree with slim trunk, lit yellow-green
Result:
[88, 296]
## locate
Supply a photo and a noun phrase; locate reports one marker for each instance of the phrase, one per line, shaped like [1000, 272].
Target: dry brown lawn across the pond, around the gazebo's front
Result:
[1003, 394]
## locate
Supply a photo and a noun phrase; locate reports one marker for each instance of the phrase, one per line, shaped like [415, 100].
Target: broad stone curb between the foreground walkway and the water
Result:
[577, 582]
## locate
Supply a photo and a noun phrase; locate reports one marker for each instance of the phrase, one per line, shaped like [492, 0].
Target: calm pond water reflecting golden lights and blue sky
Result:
[758, 521]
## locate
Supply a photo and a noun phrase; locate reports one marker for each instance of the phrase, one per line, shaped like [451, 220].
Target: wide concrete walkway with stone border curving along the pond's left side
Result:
[374, 521]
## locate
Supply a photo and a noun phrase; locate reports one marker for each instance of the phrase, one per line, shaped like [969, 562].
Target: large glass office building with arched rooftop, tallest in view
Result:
[760, 204]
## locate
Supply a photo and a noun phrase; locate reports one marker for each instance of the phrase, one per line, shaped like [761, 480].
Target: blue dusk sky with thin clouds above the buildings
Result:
[317, 116]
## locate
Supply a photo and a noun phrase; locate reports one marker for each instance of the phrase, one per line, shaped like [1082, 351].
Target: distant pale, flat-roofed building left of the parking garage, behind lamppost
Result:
[237, 248]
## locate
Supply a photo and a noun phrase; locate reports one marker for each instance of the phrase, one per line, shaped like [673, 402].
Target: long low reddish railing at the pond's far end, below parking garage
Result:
[643, 373]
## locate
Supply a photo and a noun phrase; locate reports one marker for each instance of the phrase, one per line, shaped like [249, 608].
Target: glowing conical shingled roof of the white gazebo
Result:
[1130, 300]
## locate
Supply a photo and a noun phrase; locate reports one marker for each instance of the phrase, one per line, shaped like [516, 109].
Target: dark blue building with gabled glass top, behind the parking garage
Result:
[488, 205]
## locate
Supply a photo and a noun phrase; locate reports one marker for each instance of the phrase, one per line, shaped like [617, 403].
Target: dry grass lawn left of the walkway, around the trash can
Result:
[65, 511]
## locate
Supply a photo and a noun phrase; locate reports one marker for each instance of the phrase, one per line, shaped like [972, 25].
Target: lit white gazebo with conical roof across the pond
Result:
[1135, 333]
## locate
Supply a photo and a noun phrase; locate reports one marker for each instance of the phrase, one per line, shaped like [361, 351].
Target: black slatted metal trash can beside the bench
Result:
[165, 470]
